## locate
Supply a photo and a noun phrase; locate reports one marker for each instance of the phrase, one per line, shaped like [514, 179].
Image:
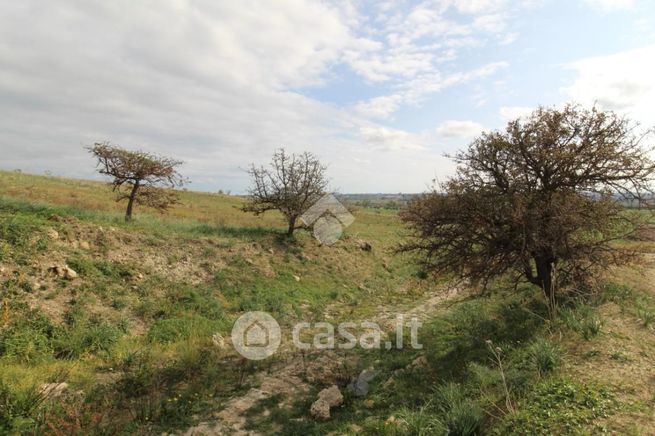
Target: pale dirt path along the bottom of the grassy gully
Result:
[293, 372]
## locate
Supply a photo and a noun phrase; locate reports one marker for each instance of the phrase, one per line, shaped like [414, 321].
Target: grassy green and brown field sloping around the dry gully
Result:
[138, 340]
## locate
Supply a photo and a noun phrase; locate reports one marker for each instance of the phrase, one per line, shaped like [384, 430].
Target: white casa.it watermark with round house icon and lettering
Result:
[257, 335]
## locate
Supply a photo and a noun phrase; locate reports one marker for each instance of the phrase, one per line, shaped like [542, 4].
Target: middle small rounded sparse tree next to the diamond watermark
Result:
[292, 184]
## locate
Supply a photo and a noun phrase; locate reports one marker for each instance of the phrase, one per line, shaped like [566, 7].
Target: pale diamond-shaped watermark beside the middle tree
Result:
[328, 217]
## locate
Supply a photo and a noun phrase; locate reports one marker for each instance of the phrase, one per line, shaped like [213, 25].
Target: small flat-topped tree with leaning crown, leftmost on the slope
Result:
[139, 177]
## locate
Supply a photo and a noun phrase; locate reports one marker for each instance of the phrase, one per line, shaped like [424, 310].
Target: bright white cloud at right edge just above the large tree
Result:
[622, 82]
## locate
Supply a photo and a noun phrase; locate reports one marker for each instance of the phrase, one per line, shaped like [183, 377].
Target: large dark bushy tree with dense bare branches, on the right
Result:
[544, 201]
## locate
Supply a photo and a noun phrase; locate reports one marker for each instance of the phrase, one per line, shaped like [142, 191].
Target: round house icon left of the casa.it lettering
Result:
[256, 335]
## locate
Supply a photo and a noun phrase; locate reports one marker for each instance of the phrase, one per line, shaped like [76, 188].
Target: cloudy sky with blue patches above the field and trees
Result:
[380, 91]
